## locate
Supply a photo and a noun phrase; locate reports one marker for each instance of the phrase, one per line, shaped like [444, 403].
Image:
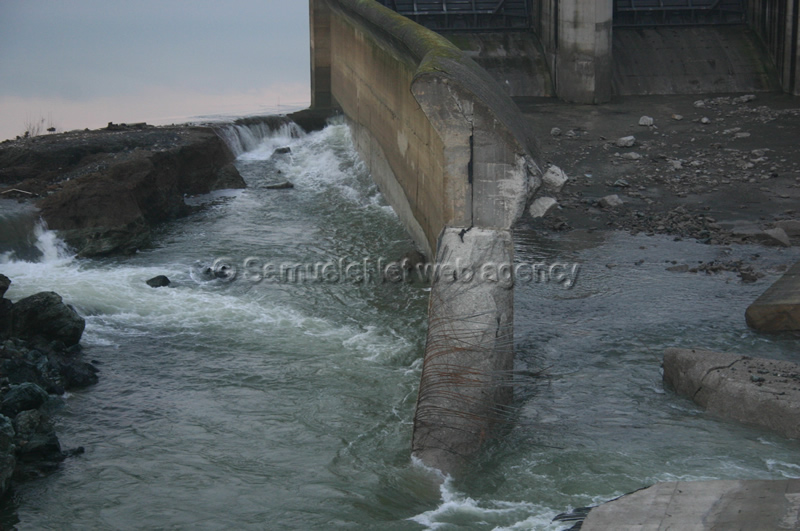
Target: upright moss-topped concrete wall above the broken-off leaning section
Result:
[445, 143]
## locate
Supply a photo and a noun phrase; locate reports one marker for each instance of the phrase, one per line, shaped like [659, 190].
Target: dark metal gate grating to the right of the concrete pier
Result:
[678, 12]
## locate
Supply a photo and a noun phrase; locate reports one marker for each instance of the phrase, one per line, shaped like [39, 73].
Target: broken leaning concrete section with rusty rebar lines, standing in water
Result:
[465, 385]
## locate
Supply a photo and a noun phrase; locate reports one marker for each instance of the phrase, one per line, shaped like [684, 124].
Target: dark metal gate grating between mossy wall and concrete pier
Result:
[465, 15]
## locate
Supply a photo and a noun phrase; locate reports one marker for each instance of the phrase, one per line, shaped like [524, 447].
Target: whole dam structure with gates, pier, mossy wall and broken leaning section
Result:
[429, 89]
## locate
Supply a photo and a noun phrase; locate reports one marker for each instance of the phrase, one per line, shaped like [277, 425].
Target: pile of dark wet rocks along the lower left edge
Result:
[40, 359]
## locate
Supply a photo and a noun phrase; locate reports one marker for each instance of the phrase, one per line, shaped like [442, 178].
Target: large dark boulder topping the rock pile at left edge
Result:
[45, 315]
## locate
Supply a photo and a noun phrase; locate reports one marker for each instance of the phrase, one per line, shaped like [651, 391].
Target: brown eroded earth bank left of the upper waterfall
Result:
[104, 190]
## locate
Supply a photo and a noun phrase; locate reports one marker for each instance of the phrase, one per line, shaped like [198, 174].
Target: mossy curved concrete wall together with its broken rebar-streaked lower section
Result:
[452, 154]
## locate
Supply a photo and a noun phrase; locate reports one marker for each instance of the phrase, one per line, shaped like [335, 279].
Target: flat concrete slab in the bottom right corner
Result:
[750, 505]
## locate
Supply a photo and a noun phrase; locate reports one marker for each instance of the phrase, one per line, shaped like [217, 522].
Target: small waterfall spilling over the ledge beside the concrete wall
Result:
[248, 134]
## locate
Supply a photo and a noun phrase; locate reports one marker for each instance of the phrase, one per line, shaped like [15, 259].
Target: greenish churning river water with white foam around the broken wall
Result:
[253, 402]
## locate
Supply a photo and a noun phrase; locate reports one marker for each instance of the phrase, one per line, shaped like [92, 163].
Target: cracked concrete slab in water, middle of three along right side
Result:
[756, 391]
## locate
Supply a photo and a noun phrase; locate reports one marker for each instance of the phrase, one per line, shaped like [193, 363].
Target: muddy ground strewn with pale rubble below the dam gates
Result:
[721, 170]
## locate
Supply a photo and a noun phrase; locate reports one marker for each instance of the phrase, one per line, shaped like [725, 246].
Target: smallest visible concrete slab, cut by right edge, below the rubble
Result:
[778, 309]
